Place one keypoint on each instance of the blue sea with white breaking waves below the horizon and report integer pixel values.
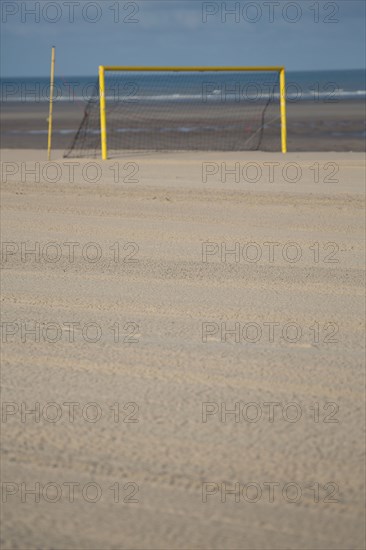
(325, 86)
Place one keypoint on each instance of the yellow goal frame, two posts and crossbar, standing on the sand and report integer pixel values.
(102, 97)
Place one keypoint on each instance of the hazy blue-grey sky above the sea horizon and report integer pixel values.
(300, 35)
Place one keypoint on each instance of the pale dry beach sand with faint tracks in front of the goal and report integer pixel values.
(169, 212)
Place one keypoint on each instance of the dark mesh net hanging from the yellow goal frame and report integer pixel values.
(182, 109)
